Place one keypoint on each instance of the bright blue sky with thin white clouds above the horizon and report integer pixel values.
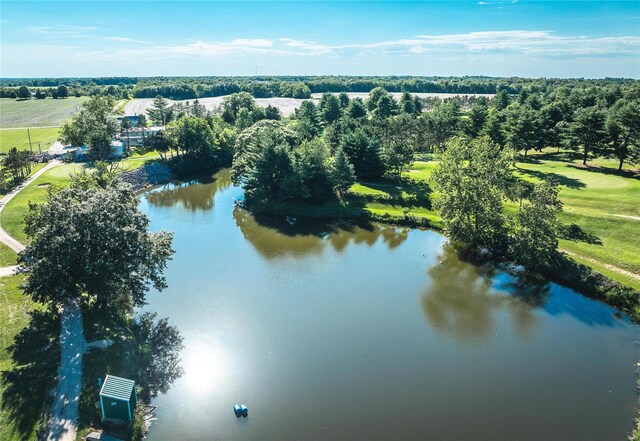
(501, 38)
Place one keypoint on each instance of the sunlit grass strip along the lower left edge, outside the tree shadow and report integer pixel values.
(14, 309)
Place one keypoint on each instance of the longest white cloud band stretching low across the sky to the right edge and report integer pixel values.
(462, 46)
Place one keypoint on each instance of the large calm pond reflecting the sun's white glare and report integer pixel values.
(330, 333)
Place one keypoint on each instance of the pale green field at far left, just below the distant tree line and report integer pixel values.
(38, 113)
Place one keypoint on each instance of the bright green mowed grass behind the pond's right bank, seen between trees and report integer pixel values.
(601, 212)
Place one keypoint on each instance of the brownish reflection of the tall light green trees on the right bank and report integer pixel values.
(462, 300)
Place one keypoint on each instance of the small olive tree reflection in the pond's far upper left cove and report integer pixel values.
(194, 196)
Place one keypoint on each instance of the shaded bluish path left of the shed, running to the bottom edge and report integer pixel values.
(67, 395)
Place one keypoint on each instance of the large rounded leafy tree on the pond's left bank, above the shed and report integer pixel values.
(93, 244)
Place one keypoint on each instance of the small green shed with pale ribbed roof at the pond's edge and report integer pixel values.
(118, 399)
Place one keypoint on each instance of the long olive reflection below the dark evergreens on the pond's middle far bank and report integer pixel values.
(275, 236)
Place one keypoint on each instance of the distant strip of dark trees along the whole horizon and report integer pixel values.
(296, 86)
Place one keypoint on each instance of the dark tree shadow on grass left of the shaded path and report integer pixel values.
(35, 355)
